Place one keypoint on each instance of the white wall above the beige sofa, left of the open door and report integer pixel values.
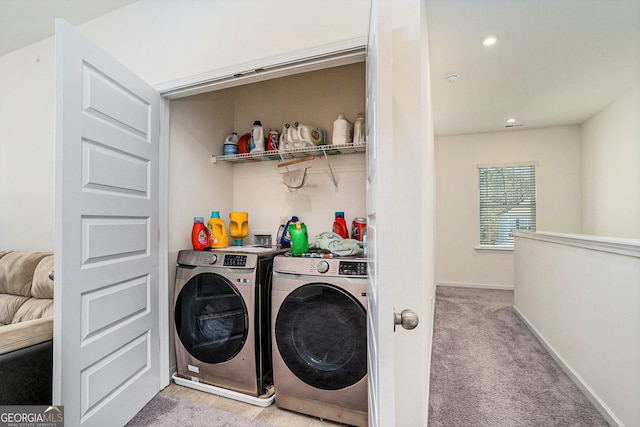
(27, 148)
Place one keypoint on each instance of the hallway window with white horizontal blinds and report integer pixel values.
(507, 203)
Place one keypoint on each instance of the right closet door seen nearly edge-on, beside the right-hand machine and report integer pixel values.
(379, 215)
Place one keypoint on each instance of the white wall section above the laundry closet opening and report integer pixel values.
(163, 40)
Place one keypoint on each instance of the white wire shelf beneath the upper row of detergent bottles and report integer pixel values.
(293, 153)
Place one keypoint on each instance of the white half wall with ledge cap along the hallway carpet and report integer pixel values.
(581, 296)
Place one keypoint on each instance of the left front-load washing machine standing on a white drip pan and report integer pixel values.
(222, 322)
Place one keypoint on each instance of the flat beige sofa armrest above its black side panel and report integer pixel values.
(25, 334)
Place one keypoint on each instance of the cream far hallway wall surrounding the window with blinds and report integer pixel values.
(557, 153)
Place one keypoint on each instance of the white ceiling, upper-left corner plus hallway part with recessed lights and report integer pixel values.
(556, 62)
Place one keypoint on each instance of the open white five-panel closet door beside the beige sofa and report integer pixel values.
(106, 339)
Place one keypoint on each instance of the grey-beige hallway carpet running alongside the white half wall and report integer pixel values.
(488, 369)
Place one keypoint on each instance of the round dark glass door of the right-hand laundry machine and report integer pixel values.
(321, 333)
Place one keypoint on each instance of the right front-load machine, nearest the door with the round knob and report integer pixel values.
(319, 337)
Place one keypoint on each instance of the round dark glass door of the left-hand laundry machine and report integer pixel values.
(211, 318)
